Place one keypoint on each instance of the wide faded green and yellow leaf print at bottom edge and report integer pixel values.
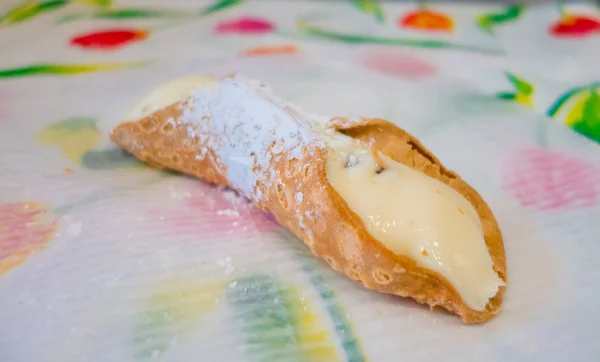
(278, 323)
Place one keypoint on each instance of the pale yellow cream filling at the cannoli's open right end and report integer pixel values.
(415, 215)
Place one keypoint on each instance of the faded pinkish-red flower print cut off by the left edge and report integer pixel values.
(25, 228)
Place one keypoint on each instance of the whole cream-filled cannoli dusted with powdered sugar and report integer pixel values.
(361, 193)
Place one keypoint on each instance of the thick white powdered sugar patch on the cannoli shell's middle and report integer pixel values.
(244, 123)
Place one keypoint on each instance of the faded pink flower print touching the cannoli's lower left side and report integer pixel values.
(209, 210)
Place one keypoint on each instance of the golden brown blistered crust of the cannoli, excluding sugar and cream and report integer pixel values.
(321, 218)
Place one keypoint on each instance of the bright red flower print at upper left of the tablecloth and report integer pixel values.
(109, 39)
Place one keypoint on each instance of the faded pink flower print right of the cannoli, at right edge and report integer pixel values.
(550, 180)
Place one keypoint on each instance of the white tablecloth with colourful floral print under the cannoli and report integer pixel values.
(105, 259)
